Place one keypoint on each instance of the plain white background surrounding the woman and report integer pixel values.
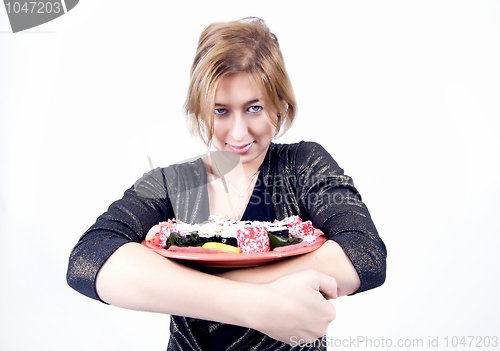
(404, 94)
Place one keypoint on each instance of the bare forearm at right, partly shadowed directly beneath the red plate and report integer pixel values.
(329, 259)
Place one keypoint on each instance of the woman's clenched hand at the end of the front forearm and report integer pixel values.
(296, 306)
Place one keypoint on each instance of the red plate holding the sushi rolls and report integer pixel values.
(238, 260)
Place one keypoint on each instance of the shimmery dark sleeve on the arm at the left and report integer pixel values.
(126, 220)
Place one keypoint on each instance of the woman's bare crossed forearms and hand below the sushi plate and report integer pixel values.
(136, 278)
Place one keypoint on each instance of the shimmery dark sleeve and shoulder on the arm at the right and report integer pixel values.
(305, 180)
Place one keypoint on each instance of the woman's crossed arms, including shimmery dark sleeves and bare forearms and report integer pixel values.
(134, 277)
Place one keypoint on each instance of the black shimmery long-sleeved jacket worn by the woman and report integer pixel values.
(295, 179)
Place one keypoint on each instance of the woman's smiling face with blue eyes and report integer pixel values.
(241, 122)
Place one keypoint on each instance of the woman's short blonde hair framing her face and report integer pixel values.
(243, 46)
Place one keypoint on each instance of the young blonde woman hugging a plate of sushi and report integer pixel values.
(240, 98)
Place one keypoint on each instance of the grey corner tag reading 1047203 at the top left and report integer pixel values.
(28, 14)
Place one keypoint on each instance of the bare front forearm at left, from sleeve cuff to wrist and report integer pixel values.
(136, 278)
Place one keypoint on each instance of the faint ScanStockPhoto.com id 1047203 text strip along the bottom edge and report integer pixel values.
(469, 341)
